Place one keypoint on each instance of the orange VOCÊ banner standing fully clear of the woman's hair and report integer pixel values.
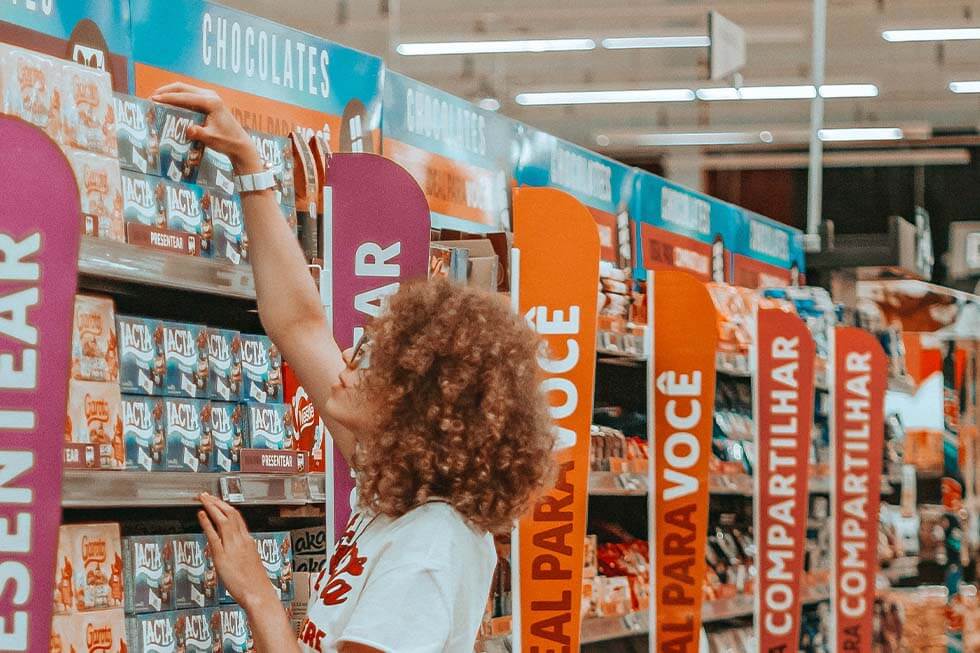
(680, 416)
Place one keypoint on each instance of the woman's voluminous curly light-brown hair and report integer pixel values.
(460, 413)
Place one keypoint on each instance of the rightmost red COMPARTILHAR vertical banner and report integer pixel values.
(857, 436)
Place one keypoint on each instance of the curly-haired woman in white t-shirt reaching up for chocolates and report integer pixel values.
(437, 409)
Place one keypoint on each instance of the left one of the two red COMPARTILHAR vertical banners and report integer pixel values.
(784, 418)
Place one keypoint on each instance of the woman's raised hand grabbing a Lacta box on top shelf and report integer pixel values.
(221, 130)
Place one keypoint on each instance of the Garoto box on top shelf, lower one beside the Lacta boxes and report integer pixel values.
(100, 187)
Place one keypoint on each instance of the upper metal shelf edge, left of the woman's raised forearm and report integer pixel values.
(131, 264)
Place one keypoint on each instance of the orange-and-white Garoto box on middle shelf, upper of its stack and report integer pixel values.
(94, 355)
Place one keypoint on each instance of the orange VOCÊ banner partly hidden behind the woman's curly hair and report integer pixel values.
(557, 245)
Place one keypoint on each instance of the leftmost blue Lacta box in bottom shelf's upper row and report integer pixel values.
(149, 574)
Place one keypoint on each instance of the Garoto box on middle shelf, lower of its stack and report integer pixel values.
(94, 417)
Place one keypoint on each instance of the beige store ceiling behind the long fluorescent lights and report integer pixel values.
(912, 78)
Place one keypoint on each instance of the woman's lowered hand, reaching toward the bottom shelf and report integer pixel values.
(236, 558)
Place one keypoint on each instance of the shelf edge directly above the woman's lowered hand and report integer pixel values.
(110, 489)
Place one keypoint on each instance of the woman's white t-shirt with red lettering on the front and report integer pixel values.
(416, 584)
